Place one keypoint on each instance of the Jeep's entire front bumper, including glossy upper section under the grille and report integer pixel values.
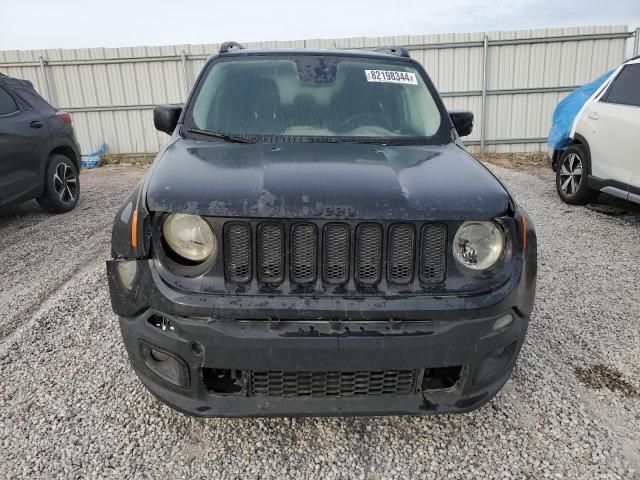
(232, 333)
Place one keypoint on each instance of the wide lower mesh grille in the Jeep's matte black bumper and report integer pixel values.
(338, 384)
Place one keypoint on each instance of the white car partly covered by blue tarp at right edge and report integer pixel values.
(604, 154)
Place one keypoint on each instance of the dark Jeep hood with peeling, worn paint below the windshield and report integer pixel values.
(324, 180)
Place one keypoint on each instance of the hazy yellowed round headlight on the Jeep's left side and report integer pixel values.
(189, 236)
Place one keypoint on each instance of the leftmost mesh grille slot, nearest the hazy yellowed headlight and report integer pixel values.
(237, 252)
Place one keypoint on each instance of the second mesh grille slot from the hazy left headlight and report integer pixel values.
(271, 253)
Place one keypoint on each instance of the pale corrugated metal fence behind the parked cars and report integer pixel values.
(511, 80)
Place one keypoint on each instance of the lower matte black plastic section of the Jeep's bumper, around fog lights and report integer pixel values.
(257, 345)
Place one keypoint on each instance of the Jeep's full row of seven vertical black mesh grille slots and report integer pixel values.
(344, 254)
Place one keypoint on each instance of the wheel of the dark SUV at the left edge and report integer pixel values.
(62, 185)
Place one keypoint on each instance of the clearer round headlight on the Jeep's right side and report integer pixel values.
(478, 245)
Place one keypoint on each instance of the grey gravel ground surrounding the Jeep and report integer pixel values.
(71, 407)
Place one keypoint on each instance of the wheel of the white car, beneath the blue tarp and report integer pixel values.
(571, 177)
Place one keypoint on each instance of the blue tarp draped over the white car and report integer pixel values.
(567, 110)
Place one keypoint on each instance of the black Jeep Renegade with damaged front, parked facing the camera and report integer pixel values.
(314, 240)
